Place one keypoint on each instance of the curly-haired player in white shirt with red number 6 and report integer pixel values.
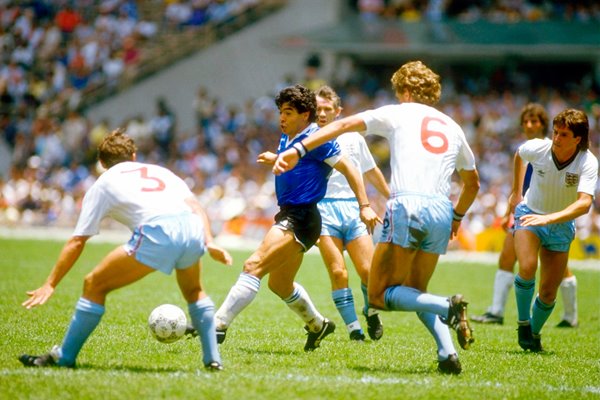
(427, 147)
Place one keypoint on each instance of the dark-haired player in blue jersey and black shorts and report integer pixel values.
(298, 223)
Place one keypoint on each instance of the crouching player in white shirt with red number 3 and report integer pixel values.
(170, 232)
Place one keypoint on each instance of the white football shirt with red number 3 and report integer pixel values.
(132, 193)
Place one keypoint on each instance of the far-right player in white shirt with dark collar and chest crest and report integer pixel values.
(562, 188)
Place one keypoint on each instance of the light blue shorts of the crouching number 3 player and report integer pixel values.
(169, 242)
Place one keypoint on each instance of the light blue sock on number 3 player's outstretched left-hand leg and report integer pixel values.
(85, 319)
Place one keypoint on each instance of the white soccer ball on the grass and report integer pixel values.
(167, 323)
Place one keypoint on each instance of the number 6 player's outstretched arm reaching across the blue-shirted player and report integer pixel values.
(288, 159)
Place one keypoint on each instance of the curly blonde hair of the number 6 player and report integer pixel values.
(419, 81)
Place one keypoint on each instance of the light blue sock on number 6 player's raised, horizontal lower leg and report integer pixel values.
(404, 298)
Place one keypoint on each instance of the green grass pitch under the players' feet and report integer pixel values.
(263, 354)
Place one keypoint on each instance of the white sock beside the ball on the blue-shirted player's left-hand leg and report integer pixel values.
(239, 297)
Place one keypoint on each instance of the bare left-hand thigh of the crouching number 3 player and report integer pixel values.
(116, 270)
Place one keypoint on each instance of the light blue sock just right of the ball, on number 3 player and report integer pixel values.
(202, 314)
